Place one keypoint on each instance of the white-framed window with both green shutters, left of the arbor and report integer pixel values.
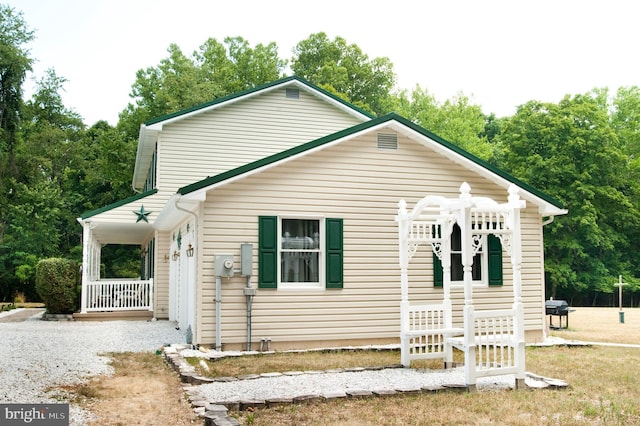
(299, 252)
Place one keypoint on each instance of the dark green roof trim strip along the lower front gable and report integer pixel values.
(352, 130)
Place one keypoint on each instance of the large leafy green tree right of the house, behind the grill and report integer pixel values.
(571, 151)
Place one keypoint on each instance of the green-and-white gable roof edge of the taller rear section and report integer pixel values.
(150, 130)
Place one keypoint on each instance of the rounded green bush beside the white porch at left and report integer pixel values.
(56, 284)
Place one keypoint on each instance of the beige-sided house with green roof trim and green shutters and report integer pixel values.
(267, 217)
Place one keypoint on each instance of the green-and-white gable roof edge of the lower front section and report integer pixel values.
(549, 206)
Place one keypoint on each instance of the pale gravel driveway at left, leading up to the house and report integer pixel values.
(36, 355)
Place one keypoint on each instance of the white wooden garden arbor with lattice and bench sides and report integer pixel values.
(492, 340)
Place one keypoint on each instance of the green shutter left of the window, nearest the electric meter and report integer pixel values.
(267, 252)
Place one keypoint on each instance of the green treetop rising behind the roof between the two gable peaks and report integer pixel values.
(343, 69)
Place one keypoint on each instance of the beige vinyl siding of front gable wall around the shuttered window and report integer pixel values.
(361, 184)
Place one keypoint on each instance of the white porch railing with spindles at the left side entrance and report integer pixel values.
(119, 295)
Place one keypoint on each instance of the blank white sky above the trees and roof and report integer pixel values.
(499, 53)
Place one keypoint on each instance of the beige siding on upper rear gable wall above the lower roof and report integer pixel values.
(223, 139)
